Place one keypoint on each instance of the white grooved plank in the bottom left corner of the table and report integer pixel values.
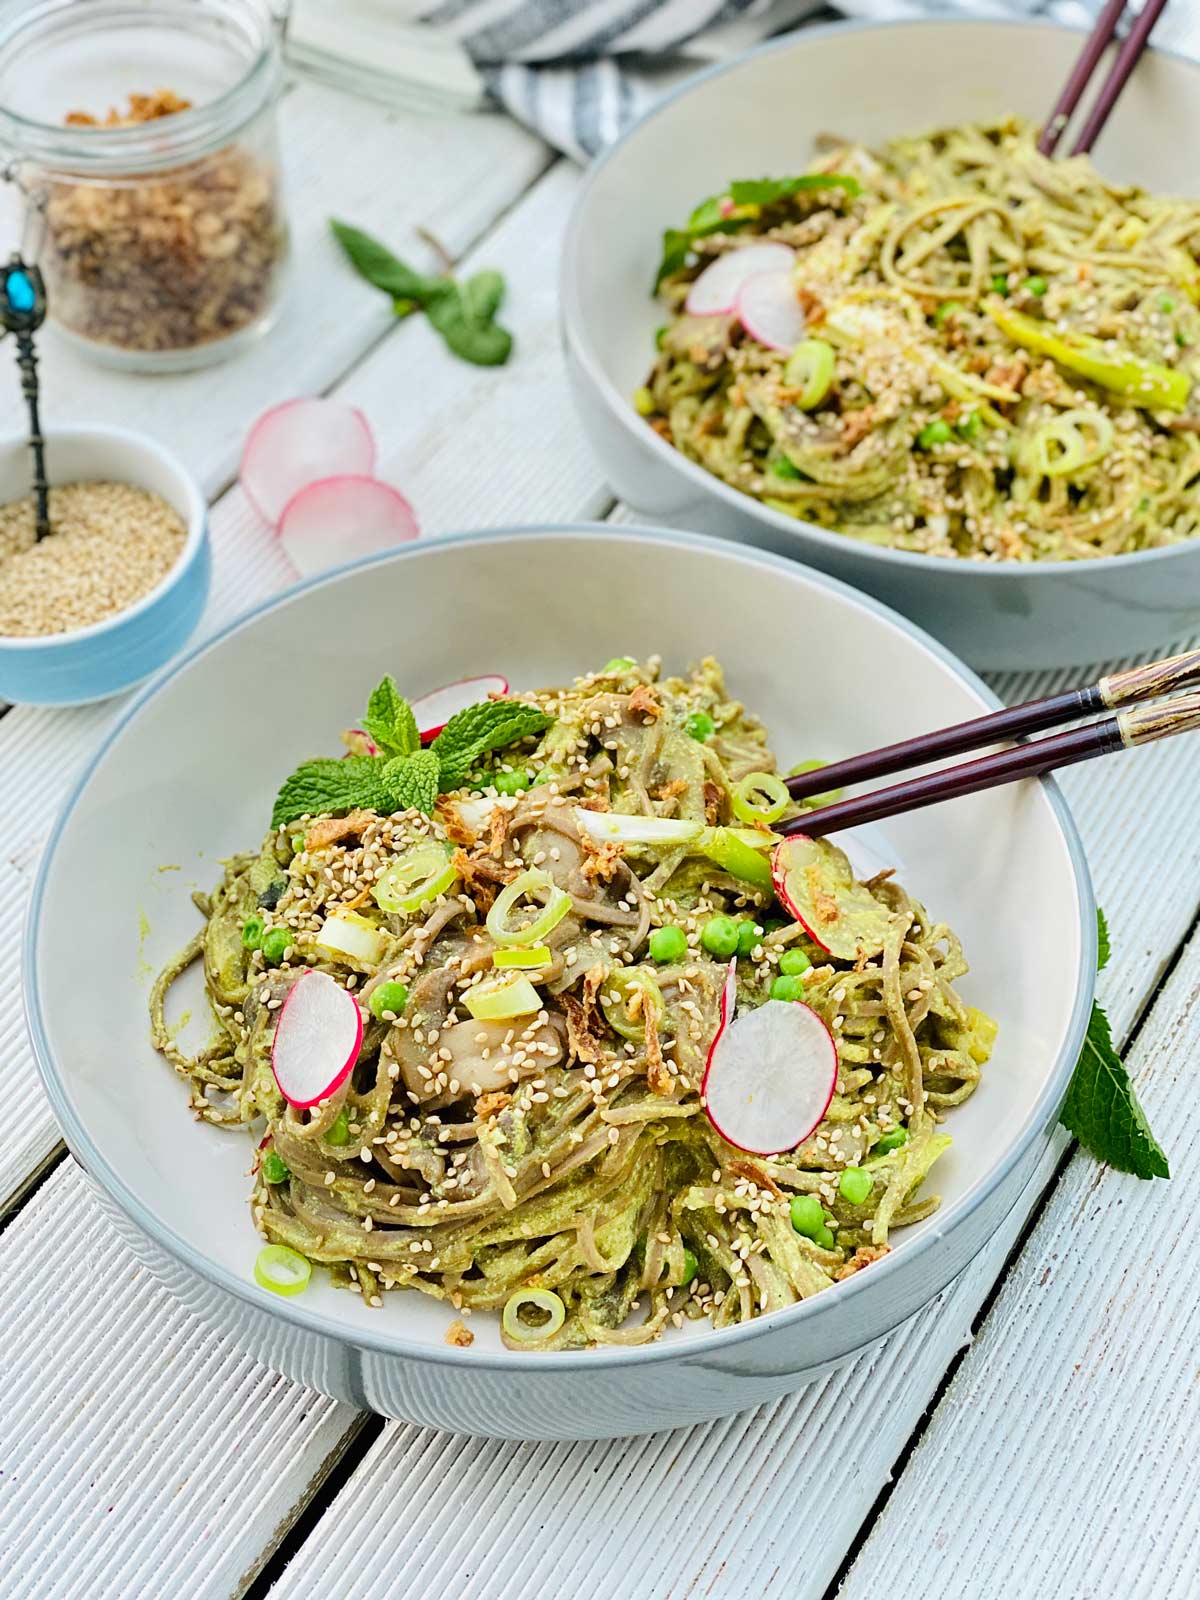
(143, 1455)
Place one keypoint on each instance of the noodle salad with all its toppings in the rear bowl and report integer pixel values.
(950, 345)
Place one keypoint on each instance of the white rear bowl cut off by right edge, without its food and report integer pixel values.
(759, 114)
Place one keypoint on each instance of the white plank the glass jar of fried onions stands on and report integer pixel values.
(382, 169)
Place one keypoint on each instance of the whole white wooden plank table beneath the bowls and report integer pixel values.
(1036, 1433)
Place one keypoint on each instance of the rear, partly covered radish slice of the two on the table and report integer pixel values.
(300, 442)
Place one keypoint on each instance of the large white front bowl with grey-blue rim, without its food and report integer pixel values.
(198, 767)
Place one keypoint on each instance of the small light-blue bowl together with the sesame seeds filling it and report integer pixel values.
(118, 586)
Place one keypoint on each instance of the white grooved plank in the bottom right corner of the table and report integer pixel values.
(1063, 1458)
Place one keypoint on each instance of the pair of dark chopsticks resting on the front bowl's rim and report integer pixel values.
(1121, 730)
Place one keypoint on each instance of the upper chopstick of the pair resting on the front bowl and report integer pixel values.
(1121, 689)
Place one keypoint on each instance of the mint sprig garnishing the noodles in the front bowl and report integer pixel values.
(404, 777)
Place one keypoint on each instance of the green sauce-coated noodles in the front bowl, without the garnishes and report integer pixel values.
(569, 1151)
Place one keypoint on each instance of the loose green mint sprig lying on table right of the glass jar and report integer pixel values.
(465, 314)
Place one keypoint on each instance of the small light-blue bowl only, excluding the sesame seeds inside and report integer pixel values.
(94, 663)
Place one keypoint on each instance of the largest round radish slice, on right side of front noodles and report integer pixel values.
(770, 1078)
